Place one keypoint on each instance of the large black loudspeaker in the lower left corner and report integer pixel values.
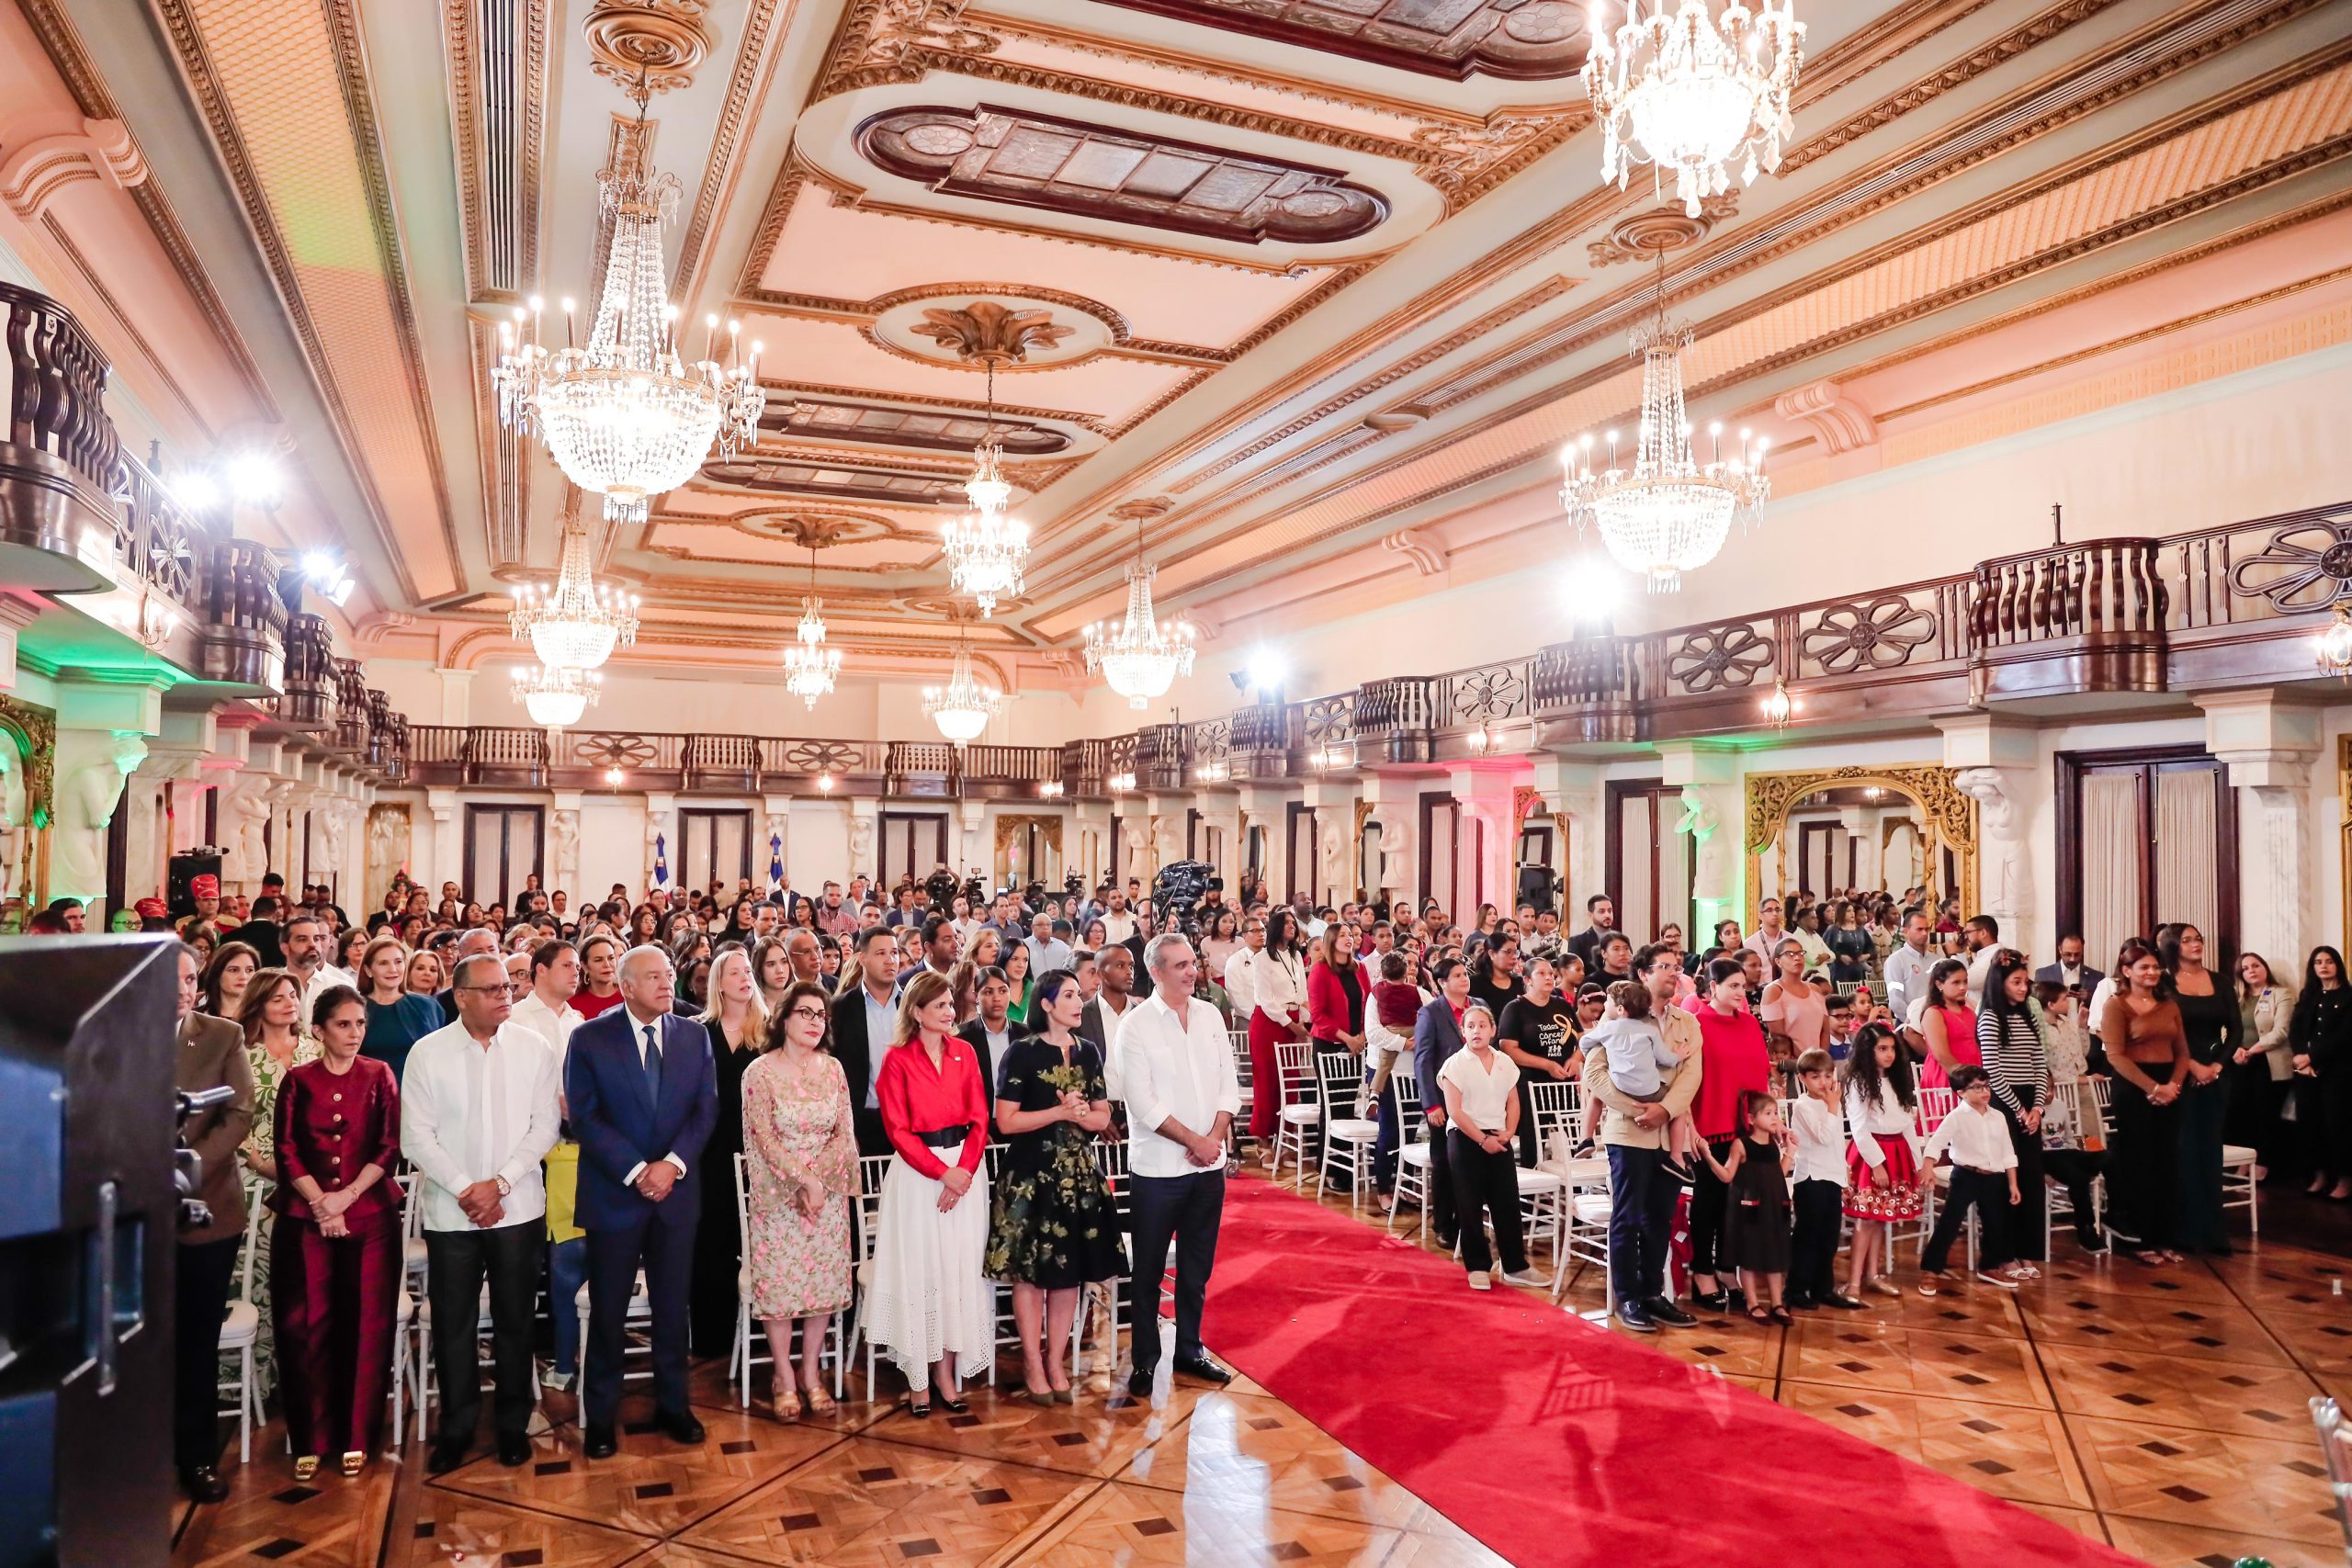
(88, 1221)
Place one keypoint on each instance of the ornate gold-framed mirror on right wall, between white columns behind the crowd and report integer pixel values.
(1916, 812)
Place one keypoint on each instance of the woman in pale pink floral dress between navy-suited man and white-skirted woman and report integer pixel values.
(803, 1153)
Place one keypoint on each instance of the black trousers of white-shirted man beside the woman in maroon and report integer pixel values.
(457, 1261)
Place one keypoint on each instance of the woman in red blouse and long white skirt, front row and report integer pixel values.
(930, 1306)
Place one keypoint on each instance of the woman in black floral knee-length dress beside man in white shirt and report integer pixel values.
(1055, 1226)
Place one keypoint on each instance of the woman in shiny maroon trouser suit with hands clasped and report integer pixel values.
(338, 1247)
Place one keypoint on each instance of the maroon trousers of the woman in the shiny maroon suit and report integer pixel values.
(338, 1304)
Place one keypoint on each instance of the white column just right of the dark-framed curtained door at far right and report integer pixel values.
(2269, 746)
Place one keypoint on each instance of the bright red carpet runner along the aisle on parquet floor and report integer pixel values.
(1563, 1445)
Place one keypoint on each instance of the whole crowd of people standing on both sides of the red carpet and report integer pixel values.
(568, 1090)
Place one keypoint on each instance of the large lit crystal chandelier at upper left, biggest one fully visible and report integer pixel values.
(627, 417)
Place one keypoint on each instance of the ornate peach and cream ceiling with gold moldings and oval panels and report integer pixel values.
(1311, 276)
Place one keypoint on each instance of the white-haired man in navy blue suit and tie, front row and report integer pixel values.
(643, 1097)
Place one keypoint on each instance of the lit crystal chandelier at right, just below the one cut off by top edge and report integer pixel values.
(1669, 514)
